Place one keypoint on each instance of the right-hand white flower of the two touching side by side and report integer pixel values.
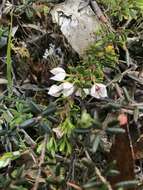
(68, 89)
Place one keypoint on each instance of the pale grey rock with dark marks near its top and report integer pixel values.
(78, 25)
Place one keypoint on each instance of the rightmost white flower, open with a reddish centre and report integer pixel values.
(98, 91)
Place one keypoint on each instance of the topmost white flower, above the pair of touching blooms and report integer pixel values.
(59, 74)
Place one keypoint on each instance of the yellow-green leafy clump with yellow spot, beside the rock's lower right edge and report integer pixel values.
(98, 56)
